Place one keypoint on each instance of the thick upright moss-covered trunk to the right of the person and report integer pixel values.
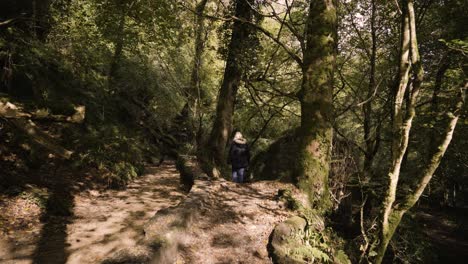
(316, 131)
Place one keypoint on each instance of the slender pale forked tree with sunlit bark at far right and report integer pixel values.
(410, 62)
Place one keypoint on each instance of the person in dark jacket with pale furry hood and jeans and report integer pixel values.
(239, 157)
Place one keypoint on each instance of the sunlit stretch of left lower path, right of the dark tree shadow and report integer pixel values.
(116, 222)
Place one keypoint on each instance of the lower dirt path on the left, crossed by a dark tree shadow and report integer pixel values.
(101, 223)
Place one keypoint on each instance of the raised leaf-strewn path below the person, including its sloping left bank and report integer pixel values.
(218, 222)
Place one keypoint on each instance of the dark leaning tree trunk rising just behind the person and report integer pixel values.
(222, 126)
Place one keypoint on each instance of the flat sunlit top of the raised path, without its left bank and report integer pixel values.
(236, 222)
